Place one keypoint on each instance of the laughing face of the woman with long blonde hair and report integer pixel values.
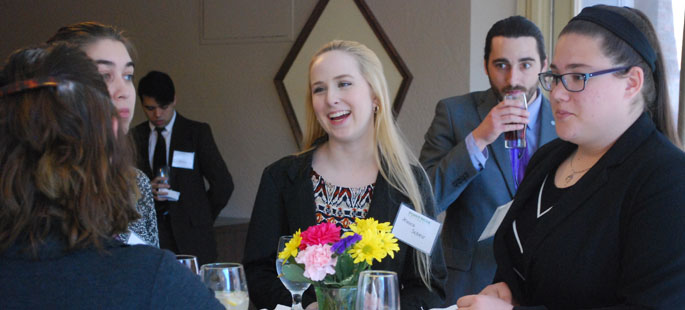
(342, 99)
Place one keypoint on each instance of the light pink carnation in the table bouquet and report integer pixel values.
(317, 261)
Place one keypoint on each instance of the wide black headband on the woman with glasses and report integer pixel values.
(622, 28)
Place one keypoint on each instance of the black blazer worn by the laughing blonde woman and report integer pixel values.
(285, 203)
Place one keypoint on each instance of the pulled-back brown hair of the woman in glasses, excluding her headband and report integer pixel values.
(655, 96)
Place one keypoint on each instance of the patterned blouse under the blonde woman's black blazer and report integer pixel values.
(340, 205)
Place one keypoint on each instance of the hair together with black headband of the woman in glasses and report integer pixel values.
(593, 22)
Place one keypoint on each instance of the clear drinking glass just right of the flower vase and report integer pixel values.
(378, 290)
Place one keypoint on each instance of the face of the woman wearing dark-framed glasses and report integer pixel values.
(604, 109)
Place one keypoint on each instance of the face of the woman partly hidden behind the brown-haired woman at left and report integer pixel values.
(116, 67)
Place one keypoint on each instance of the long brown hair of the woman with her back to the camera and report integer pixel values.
(62, 168)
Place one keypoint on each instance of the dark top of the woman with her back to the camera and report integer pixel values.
(123, 277)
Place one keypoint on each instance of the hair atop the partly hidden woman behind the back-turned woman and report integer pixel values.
(85, 33)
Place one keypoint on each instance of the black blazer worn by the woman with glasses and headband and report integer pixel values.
(614, 240)
